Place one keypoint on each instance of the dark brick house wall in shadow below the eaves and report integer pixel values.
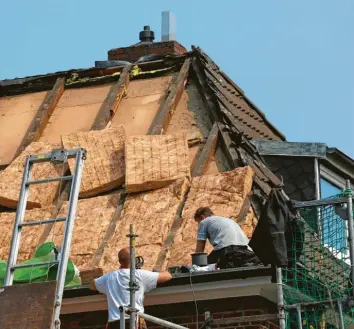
(184, 314)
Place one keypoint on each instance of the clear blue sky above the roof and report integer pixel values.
(294, 59)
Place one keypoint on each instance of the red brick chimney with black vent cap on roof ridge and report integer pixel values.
(146, 46)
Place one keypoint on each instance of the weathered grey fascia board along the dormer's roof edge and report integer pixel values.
(291, 148)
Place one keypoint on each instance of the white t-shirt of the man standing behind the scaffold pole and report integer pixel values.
(115, 286)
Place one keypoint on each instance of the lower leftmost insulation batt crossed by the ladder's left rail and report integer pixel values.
(30, 234)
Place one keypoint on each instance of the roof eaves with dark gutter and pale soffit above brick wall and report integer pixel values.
(206, 286)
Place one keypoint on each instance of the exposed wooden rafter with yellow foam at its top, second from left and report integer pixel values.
(110, 105)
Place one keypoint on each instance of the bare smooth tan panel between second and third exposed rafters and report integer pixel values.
(137, 110)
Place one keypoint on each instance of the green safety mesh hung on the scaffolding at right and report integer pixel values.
(318, 273)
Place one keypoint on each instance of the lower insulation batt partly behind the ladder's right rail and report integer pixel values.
(93, 217)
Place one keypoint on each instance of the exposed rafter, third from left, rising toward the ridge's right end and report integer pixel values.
(165, 112)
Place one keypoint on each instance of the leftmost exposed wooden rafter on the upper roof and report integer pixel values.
(42, 116)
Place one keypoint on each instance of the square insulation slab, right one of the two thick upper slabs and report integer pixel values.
(155, 161)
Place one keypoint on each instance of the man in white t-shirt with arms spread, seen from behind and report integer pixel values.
(115, 286)
